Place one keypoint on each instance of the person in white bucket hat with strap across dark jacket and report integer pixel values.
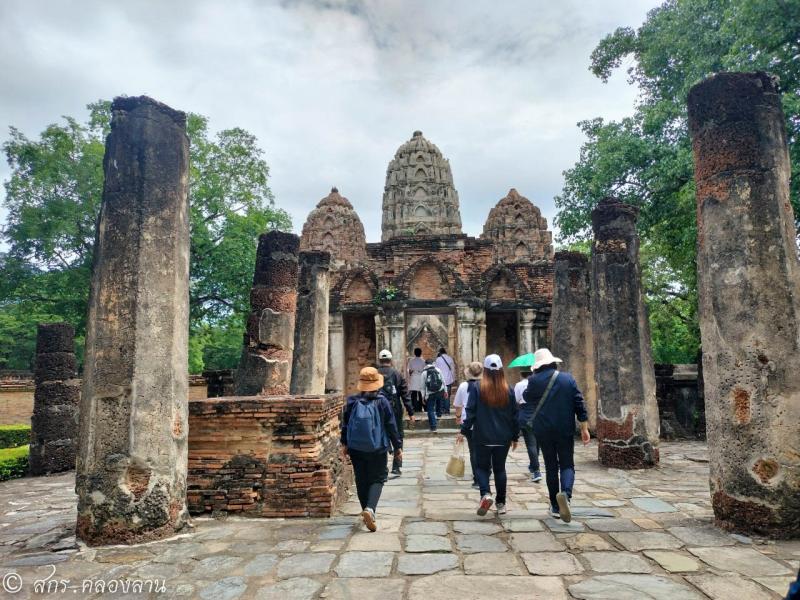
(552, 401)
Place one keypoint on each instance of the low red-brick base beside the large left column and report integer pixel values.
(275, 456)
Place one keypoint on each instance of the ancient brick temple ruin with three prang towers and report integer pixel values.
(426, 284)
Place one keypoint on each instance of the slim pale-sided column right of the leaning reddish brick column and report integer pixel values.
(310, 365)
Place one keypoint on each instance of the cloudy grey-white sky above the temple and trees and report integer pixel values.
(331, 88)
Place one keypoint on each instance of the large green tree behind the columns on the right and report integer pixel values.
(646, 159)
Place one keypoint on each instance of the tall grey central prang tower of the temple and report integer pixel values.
(419, 197)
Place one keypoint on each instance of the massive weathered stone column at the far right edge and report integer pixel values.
(749, 291)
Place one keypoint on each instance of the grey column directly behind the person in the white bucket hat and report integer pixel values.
(571, 322)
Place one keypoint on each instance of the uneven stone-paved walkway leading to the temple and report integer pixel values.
(637, 535)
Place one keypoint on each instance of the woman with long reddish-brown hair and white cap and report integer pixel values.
(492, 421)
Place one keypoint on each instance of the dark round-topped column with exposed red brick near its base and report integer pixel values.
(627, 411)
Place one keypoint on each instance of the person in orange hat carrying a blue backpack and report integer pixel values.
(368, 427)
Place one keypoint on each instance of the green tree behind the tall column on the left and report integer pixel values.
(53, 198)
